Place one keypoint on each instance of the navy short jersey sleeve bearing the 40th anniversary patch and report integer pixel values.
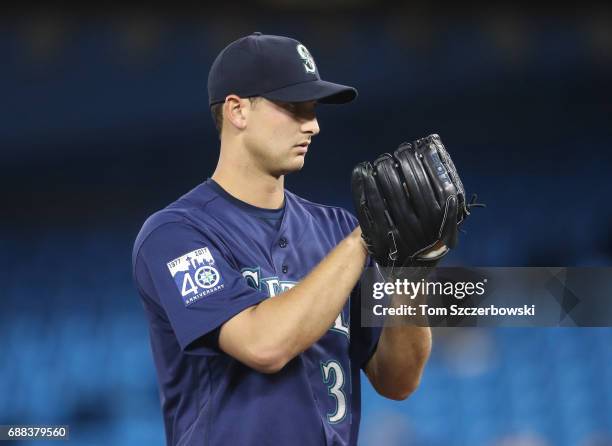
(192, 277)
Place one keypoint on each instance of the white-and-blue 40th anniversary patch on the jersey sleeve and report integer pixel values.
(195, 275)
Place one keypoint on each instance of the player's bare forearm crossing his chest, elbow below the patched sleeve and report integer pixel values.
(283, 326)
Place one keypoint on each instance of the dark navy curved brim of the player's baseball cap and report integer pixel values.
(318, 90)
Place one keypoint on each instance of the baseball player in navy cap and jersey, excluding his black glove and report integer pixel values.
(251, 292)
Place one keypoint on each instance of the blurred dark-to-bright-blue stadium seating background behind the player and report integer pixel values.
(104, 120)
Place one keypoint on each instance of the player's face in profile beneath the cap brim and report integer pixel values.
(278, 134)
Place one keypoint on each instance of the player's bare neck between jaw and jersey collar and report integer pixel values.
(251, 186)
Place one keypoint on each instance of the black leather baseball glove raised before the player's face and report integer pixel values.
(410, 204)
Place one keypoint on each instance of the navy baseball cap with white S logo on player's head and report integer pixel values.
(275, 67)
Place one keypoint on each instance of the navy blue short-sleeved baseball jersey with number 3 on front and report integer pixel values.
(204, 259)
